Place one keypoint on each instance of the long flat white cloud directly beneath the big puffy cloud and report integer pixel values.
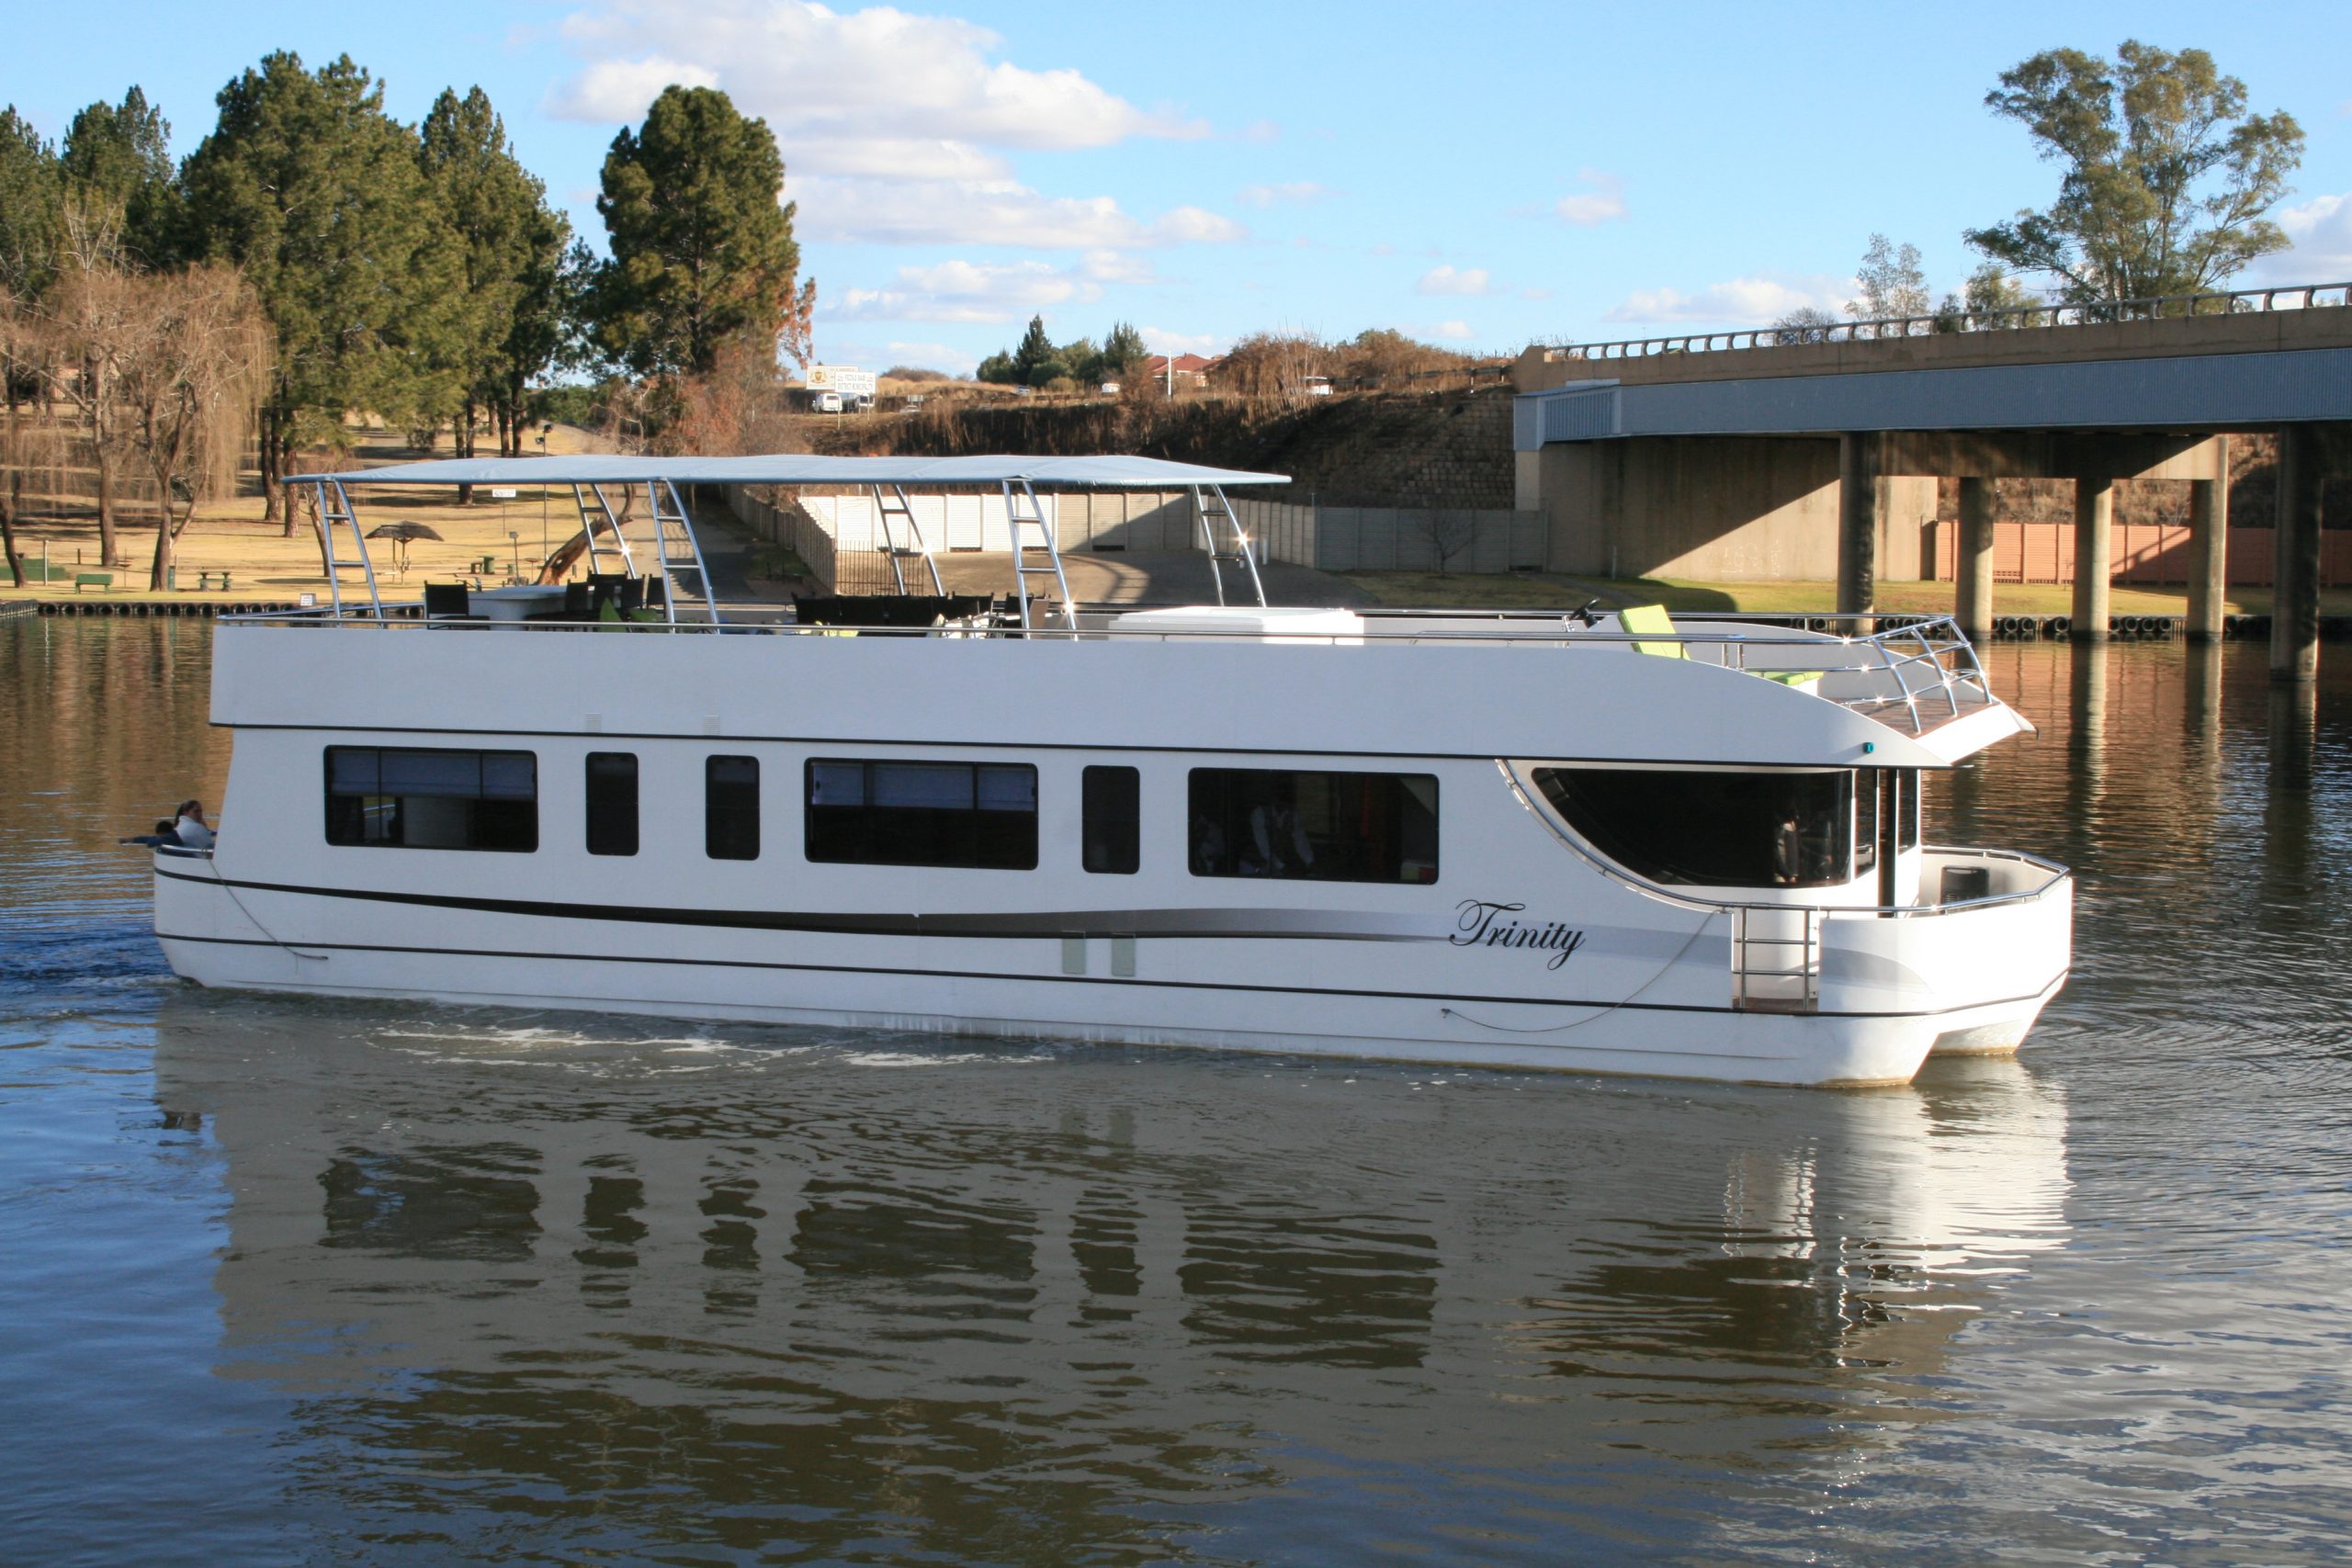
(991, 213)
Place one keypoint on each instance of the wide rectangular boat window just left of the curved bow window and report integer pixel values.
(1314, 826)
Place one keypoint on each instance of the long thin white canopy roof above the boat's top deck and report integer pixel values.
(803, 469)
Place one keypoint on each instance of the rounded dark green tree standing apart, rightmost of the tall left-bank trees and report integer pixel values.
(702, 250)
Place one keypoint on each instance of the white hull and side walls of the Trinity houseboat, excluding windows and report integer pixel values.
(1506, 949)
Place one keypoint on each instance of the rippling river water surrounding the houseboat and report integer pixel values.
(295, 1282)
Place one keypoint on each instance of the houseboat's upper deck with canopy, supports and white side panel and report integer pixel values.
(1876, 692)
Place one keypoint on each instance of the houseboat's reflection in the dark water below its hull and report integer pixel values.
(768, 1289)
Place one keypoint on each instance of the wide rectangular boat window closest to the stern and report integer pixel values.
(432, 798)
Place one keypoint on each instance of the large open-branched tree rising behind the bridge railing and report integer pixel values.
(2165, 175)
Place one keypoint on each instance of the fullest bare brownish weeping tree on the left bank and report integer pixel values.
(192, 389)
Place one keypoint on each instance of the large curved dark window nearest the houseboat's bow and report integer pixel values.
(1713, 829)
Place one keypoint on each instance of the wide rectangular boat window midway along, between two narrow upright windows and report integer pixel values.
(975, 815)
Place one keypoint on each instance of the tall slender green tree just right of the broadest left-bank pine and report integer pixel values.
(509, 250)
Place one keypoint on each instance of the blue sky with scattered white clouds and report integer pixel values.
(1481, 175)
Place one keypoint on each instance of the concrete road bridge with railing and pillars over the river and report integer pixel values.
(1800, 453)
